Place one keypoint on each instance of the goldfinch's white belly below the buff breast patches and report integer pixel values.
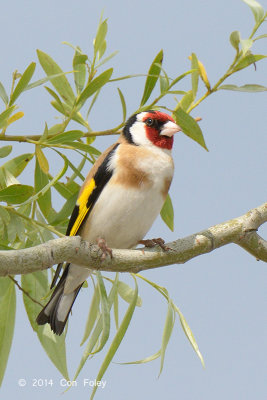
(122, 216)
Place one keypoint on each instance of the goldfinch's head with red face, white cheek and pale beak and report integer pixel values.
(151, 128)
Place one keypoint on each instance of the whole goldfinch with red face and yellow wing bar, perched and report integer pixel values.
(118, 202)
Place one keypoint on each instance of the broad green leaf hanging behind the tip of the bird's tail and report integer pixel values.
(37, 286)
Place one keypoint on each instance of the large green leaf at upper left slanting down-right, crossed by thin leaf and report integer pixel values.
(60, 83)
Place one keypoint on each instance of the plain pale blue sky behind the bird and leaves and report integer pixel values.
(221, 294)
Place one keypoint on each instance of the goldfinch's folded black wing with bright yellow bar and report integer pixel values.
(93, 185)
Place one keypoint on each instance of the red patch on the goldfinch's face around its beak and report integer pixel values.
(154, 121)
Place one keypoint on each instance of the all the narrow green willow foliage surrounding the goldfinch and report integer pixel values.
(27, 212)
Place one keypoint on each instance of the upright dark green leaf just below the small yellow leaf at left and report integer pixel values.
(40, 181)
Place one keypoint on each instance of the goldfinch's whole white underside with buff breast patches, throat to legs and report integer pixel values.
(131, 200)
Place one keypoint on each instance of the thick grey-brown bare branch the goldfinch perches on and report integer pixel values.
(241, 231)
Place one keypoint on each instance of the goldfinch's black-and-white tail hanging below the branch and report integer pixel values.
(57, 310)
